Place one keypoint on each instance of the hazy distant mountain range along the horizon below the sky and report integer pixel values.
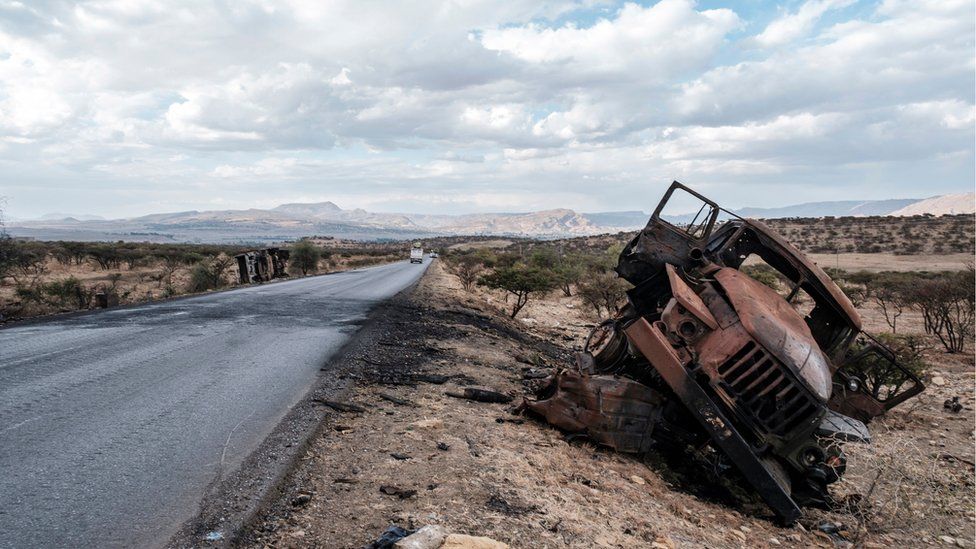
(291, 221)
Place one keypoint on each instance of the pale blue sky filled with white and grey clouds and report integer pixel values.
(123, 108)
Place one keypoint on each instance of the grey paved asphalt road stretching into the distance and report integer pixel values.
(113, 424)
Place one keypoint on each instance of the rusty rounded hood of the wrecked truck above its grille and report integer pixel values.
(779, 328)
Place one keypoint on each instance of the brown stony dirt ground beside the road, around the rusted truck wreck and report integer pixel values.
(412, 455)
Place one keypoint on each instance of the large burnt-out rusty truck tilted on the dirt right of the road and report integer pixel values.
(705, 357)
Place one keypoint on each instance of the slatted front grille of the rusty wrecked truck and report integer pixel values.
(763, 387)
